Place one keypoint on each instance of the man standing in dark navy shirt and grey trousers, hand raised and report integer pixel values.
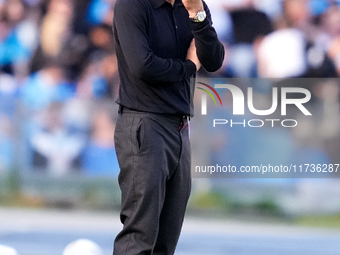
(160, 44)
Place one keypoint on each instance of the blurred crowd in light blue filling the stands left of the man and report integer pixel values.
(58, 82)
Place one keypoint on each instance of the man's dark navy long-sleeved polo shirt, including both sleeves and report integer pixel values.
(152, 38)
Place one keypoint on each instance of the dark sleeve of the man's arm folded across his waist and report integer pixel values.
(130, 27)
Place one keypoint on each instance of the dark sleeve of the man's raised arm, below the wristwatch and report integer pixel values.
(210, 50)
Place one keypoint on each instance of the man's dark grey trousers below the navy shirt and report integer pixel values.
(153, 152)
